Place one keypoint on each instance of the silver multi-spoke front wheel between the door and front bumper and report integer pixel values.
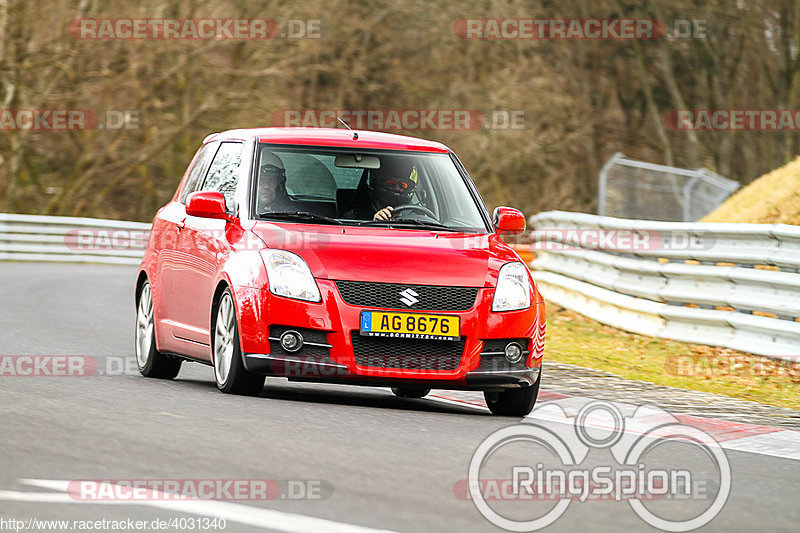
(229, 371)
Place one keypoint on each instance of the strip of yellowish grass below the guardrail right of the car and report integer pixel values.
(575, 339)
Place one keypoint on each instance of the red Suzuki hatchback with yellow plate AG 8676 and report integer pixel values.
(339, 256)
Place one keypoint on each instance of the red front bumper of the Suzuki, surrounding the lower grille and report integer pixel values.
(335, 320)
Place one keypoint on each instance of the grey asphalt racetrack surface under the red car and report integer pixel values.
(376, 461)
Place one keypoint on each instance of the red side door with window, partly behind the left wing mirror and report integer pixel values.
(203, 243)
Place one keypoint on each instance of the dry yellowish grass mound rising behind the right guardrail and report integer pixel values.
(772, 198)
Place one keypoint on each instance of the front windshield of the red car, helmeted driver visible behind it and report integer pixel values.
(416, 190)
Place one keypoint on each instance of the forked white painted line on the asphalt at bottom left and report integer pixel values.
(234, 512)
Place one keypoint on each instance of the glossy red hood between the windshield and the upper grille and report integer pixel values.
(392, 255)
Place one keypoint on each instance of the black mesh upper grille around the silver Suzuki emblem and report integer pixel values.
(387, 296)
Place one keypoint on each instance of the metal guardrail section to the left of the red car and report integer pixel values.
(69, 239)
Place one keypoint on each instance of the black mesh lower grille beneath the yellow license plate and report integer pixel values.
(388, 352)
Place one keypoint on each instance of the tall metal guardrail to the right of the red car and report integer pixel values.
(732, 285)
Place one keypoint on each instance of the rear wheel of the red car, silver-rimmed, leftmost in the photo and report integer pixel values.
(151, 362)
